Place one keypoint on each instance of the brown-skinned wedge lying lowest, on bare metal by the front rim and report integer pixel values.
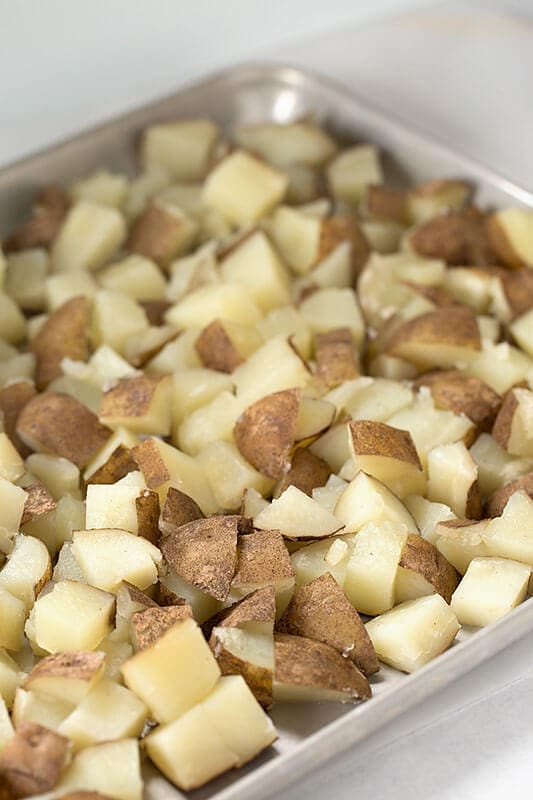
(311, 671)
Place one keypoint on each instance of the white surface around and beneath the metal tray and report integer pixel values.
(462, 71)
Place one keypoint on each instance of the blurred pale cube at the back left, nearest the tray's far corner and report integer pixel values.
(182, 148)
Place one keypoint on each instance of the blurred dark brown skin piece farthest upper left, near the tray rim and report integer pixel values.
(40, 230)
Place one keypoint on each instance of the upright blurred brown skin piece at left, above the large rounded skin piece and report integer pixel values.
(63, 335)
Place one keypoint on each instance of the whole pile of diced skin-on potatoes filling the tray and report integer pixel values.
(267, 422)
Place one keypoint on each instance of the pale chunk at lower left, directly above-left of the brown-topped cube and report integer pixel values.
(71, 615)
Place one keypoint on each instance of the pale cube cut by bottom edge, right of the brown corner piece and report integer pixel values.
(112, 769)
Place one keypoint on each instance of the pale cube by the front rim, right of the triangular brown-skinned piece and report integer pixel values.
(413, 633)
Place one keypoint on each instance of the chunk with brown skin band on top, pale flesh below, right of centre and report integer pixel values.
(388, 454)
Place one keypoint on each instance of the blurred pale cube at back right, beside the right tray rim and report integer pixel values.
(352, 171)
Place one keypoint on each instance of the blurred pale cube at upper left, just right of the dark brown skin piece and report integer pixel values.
(88, 237)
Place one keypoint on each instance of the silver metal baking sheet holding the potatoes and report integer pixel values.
(309, 734)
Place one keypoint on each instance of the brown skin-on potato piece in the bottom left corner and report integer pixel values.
(32, 760)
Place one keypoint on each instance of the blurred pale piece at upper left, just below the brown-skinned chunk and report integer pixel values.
(136, 276)
